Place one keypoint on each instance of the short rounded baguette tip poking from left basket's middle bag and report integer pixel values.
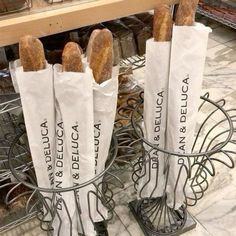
(72, 58)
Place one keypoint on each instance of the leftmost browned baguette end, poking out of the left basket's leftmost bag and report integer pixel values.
(31, 53)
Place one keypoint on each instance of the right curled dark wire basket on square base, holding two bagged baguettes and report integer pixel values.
(214, 145)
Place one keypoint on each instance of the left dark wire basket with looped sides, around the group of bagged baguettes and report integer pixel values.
(48, 207)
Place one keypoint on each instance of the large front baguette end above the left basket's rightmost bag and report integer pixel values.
(101, 57)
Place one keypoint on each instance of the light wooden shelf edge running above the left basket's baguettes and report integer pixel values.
(70, 16)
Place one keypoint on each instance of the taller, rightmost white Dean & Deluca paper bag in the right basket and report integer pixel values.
(188, 52)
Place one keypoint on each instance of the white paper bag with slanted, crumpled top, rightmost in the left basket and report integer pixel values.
(105, 102)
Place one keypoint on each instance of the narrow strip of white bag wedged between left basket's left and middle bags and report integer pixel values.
(62, 179)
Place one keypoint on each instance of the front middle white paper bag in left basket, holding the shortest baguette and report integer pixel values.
(74, 93)
